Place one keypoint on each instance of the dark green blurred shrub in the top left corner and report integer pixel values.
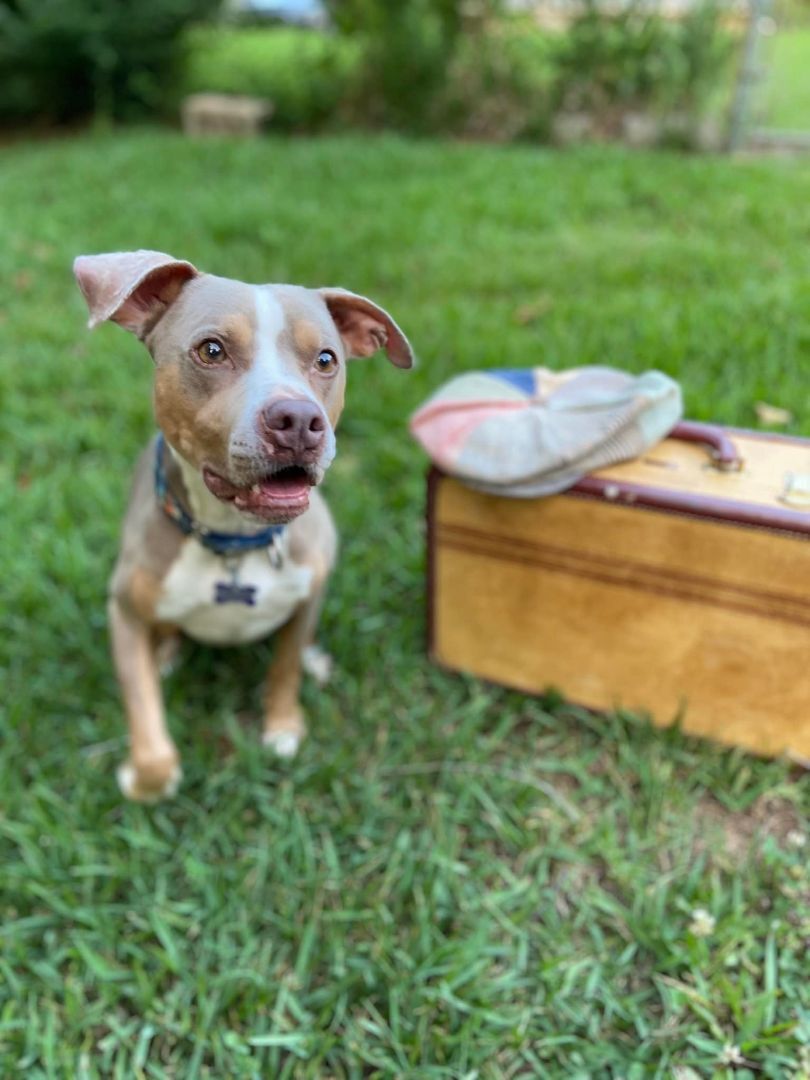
(65, 60)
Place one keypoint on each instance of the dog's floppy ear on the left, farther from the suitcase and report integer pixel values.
(133, 289)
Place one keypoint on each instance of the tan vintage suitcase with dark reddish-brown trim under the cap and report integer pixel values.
(677, 585)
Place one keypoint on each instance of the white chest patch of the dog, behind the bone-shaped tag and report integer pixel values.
(232, 603)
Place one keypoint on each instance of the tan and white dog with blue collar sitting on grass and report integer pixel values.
(226, 537)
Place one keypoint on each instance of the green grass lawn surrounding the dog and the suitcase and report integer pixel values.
(451, 881)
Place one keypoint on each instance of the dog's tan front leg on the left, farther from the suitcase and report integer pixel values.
(153, 771)
